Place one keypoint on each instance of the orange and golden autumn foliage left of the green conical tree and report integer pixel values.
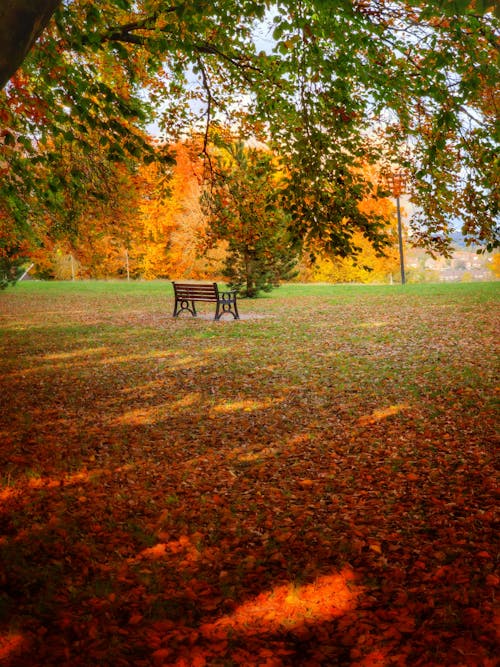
(148, 225)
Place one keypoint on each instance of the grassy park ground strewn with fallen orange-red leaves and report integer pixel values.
(312, 485)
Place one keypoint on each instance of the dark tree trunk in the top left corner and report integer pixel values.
(21, 23)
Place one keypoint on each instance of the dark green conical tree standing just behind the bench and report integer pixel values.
(242, 204)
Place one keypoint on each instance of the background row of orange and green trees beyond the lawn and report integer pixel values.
(222, 221)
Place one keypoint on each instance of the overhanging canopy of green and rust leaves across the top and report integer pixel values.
(330, 86)
